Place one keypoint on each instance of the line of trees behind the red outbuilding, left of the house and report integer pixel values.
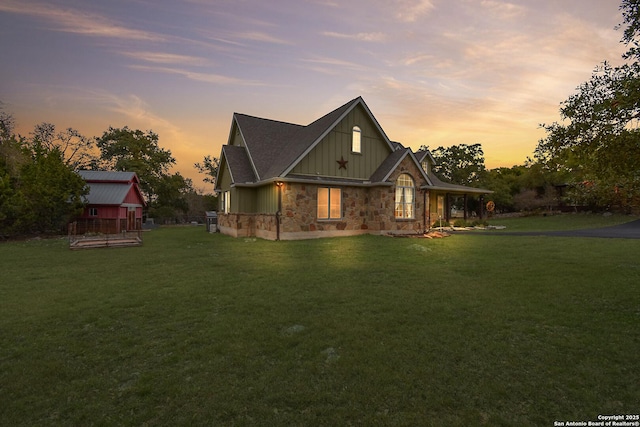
(40, 191)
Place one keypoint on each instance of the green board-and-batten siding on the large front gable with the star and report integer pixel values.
(322, 160)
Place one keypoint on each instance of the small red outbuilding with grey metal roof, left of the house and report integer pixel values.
(114, 203)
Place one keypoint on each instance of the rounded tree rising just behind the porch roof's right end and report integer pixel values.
(459, 164)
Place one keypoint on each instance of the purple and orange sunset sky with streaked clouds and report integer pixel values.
(433, 72)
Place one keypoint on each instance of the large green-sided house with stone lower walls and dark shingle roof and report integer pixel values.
(340, 175)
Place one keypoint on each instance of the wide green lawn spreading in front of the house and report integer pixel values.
(200, 329)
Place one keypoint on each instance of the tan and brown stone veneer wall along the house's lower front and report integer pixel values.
(364, 210)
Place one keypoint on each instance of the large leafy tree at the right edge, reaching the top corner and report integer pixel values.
(597, 144)
